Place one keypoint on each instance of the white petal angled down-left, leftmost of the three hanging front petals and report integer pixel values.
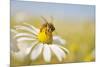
(36, 51)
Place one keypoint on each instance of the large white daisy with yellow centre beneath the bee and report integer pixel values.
(38, 44)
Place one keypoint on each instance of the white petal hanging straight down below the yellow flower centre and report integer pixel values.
(47, 53)
